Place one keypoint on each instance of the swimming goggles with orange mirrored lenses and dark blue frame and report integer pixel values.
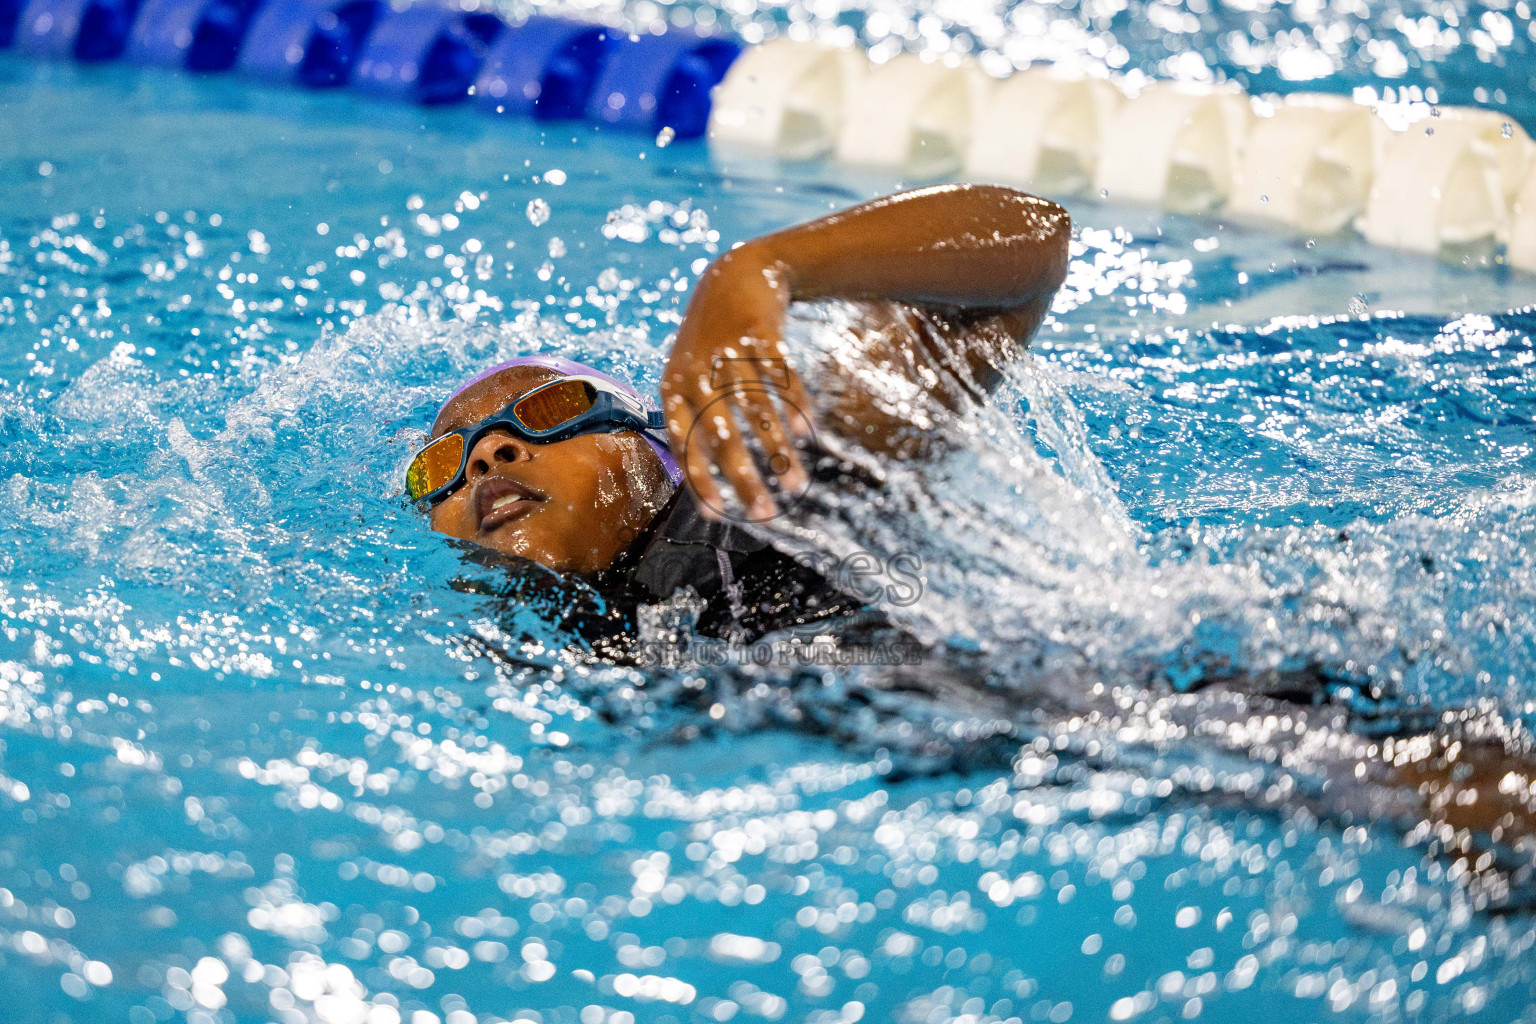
(551, 412)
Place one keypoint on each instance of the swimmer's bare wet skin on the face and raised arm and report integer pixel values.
(984, 259)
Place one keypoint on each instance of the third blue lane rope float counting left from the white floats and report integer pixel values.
(426, 53)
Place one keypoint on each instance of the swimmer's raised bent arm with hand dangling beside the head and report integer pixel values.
(985, 259)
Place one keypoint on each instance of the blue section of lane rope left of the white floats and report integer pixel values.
(543, 68)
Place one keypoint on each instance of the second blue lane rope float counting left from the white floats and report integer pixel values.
(545, 68)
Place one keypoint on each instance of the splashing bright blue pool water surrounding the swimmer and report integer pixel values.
(257, 765)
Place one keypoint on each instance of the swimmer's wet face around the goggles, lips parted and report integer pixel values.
(574, 506)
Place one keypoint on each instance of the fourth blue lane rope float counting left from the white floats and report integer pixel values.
(308, 42)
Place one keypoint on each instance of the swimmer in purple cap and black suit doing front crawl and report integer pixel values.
(554, 463)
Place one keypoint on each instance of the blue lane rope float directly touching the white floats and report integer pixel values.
(655, 82)
